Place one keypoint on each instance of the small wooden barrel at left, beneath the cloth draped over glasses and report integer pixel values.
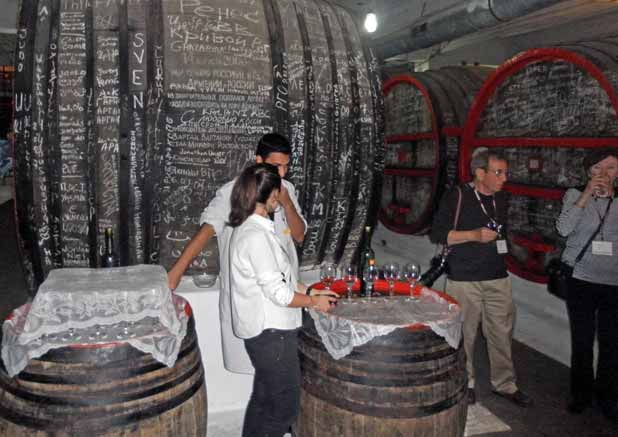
(108, 390)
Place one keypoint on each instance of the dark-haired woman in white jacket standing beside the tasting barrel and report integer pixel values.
(265, 303)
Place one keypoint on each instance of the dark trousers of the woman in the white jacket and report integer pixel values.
(275, 400)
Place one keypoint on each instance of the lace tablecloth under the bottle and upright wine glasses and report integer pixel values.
(357, 321)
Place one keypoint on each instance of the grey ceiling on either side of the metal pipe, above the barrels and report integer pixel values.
(567, 21)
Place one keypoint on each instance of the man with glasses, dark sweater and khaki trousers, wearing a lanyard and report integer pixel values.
(477, 276)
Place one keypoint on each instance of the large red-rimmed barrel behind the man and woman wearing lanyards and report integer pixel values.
(545, 109)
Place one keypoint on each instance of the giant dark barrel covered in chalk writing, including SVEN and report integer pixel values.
(130, 114)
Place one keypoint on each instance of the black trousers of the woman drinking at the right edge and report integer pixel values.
(593, 308)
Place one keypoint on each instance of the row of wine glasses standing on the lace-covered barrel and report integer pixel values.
(410, 273)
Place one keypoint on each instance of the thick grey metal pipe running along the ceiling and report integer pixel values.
(463, 18)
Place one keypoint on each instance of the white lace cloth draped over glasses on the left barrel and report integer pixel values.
(97, 306)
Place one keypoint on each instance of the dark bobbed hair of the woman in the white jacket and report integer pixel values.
(253, 186)
